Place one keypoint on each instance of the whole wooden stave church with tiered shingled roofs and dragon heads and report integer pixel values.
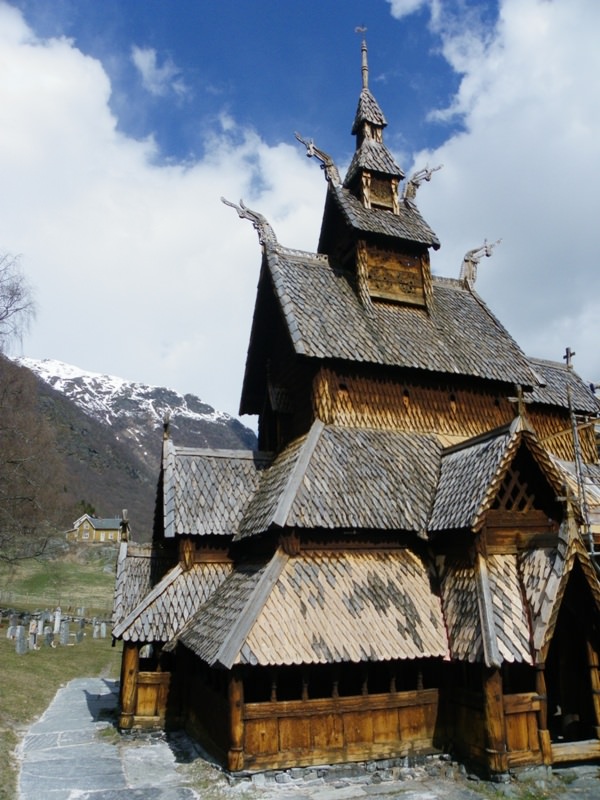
(407, 564)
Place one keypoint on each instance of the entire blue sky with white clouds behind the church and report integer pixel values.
(123, 122)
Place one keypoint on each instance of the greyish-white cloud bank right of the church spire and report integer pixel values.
(526, 168)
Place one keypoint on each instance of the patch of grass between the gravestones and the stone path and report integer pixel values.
(29, 682)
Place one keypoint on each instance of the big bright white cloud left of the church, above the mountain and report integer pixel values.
(139, 269)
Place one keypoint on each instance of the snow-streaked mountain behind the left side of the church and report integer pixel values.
(109, 433)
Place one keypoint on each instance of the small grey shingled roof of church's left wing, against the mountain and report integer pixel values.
(206, 491)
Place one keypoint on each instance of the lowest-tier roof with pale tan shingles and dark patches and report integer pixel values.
(321, 607)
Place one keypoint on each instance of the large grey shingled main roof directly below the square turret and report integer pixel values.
(325, 319)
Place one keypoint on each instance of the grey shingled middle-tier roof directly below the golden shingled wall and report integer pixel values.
(347, 478)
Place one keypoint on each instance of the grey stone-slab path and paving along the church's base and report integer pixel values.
(73, 752)
